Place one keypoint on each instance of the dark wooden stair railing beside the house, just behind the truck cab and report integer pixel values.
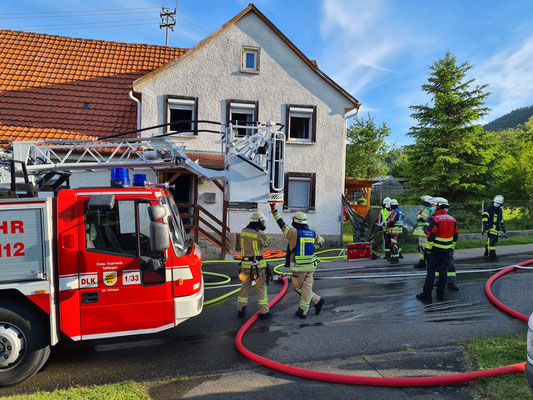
(217, 232)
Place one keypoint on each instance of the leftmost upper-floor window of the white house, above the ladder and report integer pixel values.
(179, 112)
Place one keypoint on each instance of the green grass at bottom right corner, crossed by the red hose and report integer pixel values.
(498, 352)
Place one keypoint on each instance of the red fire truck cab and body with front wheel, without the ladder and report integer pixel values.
(91, 263)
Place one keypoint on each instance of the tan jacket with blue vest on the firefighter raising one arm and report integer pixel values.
(302, 245)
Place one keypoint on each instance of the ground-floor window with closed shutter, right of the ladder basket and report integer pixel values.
(300, 191)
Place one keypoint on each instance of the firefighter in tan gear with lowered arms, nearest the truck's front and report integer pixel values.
(253, 267)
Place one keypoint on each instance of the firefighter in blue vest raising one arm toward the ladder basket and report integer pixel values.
(303, 242)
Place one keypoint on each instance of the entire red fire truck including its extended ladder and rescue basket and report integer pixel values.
(104, 262)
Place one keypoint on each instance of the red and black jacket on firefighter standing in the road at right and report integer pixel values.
(443, 232)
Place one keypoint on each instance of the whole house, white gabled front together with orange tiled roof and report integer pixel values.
(247, 70)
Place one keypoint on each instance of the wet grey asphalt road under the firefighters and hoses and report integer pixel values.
(370, 326)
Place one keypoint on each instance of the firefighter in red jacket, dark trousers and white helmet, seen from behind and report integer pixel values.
(442, 236)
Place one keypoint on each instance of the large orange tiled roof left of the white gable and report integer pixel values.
(54, 87)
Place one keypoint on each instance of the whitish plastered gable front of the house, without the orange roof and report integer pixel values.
(213, 82)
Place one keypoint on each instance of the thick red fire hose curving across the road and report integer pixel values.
(391, 382)
